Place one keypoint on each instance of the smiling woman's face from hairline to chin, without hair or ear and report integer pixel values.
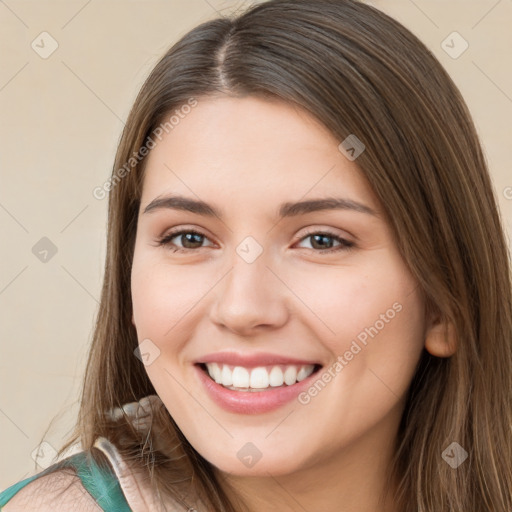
(274, 284)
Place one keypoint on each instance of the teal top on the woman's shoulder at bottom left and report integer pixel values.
(101, 483)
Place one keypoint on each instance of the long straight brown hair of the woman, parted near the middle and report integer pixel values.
(359, 72)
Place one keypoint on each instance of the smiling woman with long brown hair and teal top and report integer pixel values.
(307, 295)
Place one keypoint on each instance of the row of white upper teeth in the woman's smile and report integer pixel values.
(262, 377)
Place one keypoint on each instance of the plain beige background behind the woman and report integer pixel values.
(60, 120)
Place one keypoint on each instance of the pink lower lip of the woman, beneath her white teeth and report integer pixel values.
(252, 402)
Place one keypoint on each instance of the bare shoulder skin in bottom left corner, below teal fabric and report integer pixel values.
(58, 491)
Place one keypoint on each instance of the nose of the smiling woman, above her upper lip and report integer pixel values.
(250, 298)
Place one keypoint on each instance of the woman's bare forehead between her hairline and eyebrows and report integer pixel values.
(252, 149)
